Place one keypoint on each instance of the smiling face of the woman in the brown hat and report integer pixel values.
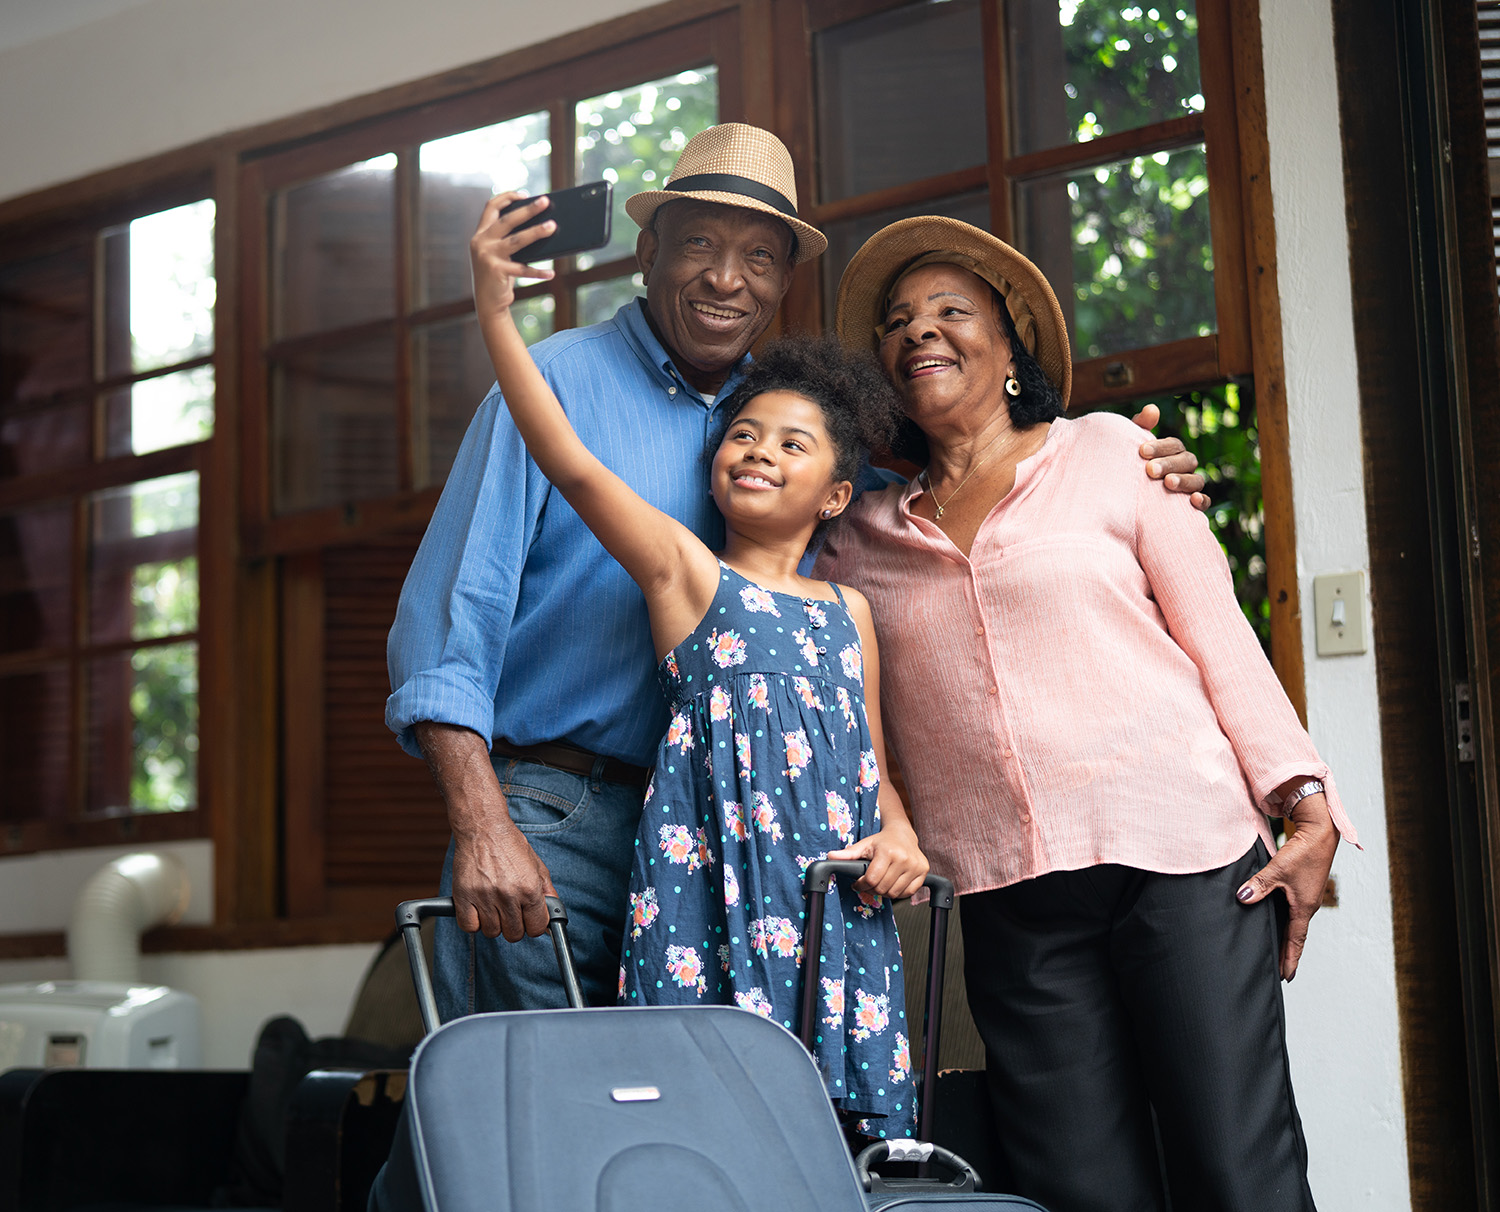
(943, 344)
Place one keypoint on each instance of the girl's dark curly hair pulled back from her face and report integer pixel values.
(859, 404)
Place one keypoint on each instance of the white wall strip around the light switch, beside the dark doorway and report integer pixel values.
(1342, 1009)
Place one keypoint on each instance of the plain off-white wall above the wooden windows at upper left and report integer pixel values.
(170, 73)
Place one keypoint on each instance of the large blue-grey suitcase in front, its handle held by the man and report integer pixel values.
(676, 1109)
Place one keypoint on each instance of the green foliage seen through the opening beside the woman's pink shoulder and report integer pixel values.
(1219, 425)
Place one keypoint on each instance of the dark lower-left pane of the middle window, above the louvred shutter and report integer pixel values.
(334, 425)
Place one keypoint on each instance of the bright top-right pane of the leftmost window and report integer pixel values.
(169, 293)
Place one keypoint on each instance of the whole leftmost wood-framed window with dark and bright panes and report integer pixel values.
(109, 356)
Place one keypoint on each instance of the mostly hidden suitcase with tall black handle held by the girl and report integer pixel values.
(923, 1190)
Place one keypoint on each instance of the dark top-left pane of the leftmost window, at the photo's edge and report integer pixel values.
(46, 310)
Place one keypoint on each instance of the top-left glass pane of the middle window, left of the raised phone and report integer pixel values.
(334, 250)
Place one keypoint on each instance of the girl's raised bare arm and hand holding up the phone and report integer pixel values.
(667, 560)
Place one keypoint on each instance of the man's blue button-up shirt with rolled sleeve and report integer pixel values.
(514, 620)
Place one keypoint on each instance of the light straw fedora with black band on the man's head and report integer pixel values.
(734, 164)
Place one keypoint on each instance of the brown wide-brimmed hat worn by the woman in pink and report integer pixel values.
(931, 239)
